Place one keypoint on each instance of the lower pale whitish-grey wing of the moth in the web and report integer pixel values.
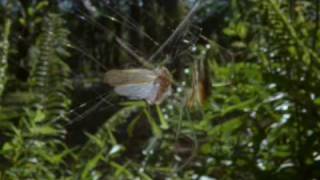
(146, 91)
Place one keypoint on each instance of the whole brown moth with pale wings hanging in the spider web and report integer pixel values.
(150, 85)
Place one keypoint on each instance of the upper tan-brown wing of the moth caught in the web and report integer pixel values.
(129, 76)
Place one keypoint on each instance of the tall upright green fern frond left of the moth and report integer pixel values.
(49, 77)
